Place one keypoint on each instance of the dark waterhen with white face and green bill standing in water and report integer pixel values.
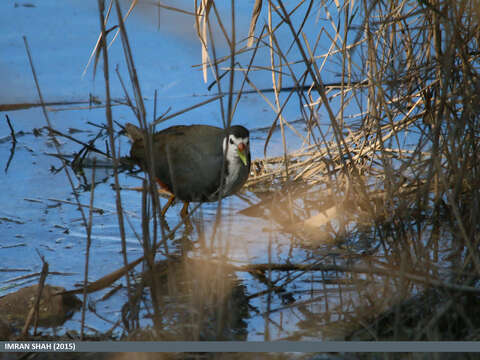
(188, 160)
